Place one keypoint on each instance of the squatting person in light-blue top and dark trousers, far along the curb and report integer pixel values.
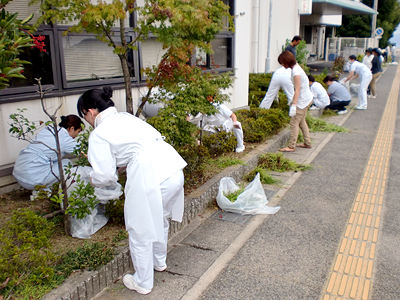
(338, 94)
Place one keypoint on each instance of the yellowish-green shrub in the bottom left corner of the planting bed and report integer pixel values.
(25, 256)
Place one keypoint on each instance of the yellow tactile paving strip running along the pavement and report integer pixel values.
(352, 272)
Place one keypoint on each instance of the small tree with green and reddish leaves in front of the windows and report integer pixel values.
(179, 25)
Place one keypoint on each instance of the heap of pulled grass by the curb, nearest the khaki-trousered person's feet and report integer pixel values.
(278, 162)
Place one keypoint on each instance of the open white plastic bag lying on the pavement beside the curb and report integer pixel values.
(250, 202)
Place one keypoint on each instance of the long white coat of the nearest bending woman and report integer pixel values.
(121, 139)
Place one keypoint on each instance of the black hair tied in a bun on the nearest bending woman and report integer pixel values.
(96, 99)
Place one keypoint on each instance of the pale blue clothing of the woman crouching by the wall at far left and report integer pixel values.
(35, 163)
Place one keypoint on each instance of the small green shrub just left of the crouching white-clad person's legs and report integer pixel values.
(219, 143)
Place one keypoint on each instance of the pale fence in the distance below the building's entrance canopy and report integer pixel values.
(347, 46)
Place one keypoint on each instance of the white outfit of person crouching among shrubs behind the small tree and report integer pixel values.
(223, 118)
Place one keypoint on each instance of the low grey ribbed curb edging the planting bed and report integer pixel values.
(88, 284)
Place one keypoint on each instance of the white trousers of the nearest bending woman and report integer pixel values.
(146, 255)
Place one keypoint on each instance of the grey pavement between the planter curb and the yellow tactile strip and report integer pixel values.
(219, 255)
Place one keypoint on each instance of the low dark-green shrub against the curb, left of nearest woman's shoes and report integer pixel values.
(87, 257)
